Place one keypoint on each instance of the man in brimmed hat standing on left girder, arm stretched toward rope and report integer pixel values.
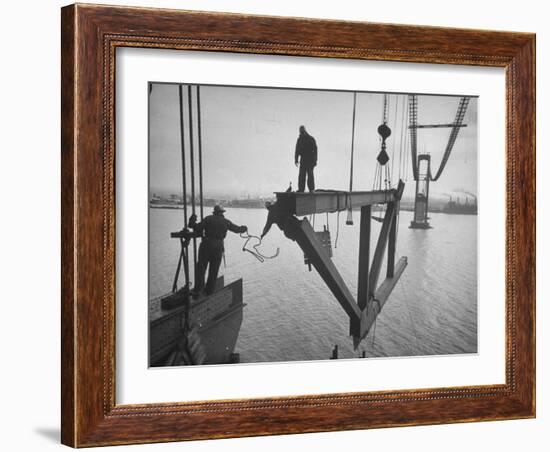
(213, 230)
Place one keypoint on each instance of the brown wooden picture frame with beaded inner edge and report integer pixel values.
(90, 37)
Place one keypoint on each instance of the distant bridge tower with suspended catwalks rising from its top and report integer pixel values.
(421, 163)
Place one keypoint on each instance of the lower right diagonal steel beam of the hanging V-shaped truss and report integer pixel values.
(376, 303)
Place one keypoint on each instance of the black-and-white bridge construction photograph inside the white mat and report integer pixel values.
(291, 224)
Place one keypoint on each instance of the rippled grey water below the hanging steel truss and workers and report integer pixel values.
(291, 314)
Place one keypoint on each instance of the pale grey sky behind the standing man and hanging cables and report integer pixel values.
(249, 136)
